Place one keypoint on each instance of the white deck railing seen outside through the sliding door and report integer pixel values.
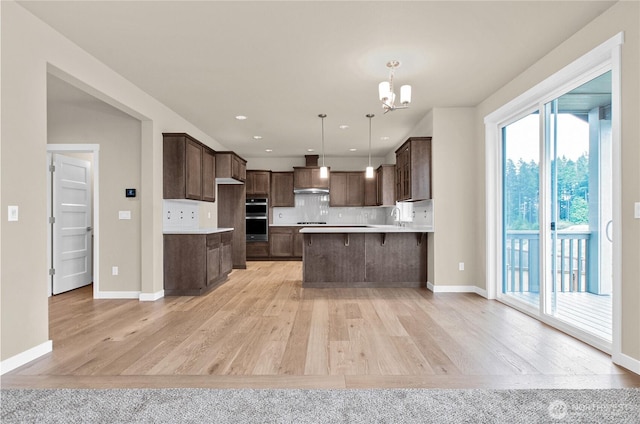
(522, 261)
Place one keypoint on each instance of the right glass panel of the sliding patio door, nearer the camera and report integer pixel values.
(578, 139)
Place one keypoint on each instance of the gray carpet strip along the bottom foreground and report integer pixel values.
(319, 406)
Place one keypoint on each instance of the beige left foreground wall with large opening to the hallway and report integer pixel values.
(30, 49)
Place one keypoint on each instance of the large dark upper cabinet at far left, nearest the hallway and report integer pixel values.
(188, 168)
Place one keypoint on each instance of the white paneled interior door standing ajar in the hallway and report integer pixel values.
(71, 241)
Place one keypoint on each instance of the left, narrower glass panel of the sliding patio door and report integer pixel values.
(521, 235)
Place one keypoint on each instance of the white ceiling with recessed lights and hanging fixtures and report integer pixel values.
(283, 63)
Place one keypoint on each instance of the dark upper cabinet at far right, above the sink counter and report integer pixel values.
(413, 170)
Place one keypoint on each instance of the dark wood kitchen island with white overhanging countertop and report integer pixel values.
(365, 256)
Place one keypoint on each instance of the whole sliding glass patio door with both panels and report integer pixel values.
(557, 258)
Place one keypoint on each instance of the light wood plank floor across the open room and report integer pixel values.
(261, 329)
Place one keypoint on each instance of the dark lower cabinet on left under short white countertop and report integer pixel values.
(195, 263)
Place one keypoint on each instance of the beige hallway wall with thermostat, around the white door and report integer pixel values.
(88, 121)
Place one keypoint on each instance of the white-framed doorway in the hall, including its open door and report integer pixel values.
(72, 202)
